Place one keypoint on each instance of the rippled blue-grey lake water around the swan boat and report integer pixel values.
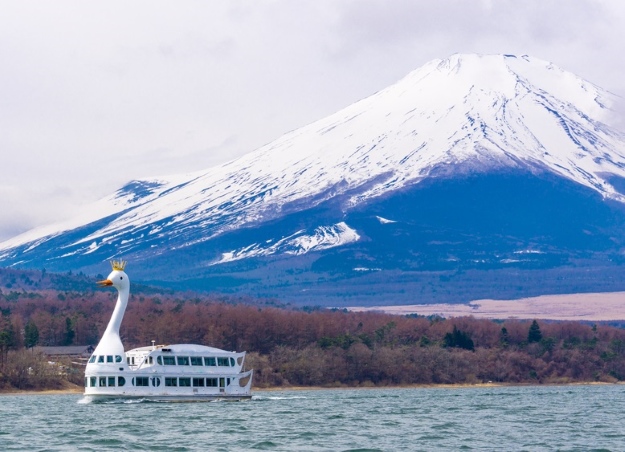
(580, 418)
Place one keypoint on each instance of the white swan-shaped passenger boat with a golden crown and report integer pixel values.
(180, 372)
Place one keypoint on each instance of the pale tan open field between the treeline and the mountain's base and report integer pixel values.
(589, 307)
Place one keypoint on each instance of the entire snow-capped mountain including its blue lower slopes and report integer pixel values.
(475, 176)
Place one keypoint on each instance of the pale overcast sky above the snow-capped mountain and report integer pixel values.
(95, 94)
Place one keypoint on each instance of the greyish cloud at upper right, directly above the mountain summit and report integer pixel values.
(584, 36)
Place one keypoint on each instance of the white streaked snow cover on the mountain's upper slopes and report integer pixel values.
(482, 111)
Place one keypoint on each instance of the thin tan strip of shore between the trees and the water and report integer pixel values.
(79, 390)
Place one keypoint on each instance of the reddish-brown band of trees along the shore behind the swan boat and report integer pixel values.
(324, 347)
